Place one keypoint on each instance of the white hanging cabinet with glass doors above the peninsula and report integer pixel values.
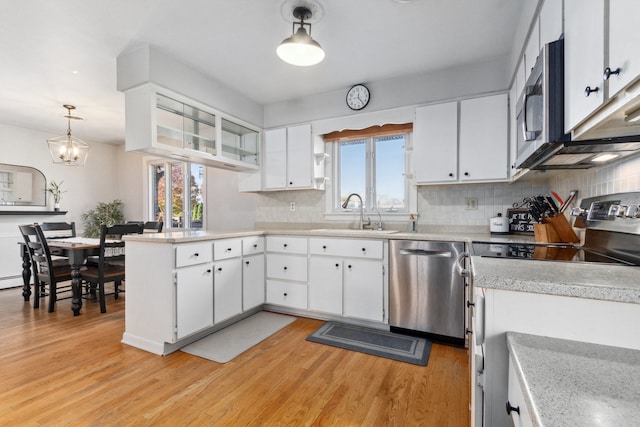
(163, 123)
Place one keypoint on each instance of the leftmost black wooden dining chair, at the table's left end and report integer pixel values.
(45, 273)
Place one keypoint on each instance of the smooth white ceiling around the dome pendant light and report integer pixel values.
(64, 51)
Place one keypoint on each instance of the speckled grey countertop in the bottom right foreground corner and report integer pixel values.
(570, 383)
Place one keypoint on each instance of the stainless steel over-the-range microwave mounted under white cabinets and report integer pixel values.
(540, 108)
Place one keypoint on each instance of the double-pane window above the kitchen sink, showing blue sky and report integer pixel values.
(373, 167)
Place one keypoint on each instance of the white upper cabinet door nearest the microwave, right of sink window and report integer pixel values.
(483, 138)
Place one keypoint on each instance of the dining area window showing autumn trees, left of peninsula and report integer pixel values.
(185, 179)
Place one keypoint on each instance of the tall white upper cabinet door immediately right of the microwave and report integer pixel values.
(583, 57)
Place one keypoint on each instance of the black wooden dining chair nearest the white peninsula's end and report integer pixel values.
(110, 267)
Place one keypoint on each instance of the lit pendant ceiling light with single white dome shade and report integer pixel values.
(300, 49)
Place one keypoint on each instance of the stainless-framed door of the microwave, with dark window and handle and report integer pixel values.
(530, 119)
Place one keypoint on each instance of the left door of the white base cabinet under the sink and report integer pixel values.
(325, 284)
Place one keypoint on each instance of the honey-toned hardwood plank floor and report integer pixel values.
(56, 369)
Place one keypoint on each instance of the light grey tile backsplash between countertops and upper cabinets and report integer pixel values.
(443, 206)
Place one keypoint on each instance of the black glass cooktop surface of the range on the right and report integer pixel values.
(542, 251)
